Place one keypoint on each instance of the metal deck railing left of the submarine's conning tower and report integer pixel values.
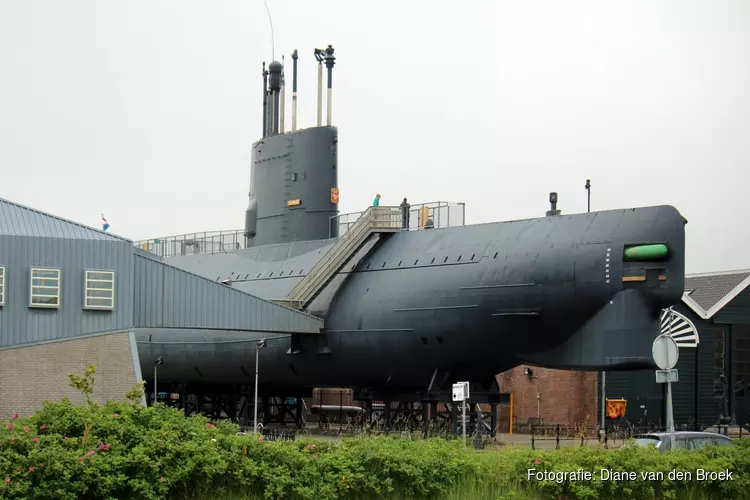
(206, 242)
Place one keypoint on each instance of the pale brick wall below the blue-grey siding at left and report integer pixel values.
(30, 375)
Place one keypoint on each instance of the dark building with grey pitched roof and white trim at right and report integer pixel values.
(714, 371)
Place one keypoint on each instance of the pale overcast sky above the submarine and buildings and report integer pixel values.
(145, 110)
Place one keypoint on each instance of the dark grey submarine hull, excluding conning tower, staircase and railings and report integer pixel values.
(465, 303)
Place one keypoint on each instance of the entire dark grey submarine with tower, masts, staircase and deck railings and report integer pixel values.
(412, 297)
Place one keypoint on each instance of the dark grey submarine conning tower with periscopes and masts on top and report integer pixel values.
(293, 178)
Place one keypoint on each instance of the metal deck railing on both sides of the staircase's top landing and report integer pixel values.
(436, 214)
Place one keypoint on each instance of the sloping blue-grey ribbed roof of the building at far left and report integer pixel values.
(19, 220)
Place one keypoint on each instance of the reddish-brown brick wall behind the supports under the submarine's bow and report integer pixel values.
(566, 397)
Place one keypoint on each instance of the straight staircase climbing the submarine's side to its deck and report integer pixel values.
(374, 221)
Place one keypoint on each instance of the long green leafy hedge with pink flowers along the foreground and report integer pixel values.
(124, 450)
